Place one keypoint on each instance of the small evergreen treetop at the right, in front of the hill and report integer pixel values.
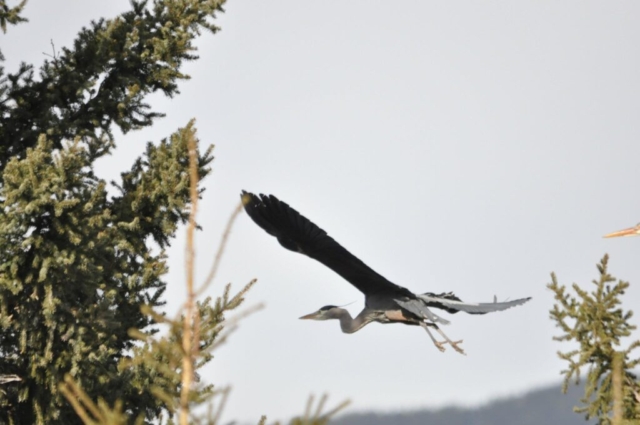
(595, 321)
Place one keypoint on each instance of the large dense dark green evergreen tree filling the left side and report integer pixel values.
(77, 265)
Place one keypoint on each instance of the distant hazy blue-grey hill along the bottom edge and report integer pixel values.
(546, 406)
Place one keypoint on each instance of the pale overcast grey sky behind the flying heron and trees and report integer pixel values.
(453, 146)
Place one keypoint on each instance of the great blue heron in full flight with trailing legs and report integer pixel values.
(385, 302)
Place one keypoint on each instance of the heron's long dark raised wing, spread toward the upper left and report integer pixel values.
(297, 233)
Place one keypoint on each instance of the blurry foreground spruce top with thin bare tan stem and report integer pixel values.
(168, 364)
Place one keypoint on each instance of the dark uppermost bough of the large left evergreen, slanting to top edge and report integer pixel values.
(104, 78)
